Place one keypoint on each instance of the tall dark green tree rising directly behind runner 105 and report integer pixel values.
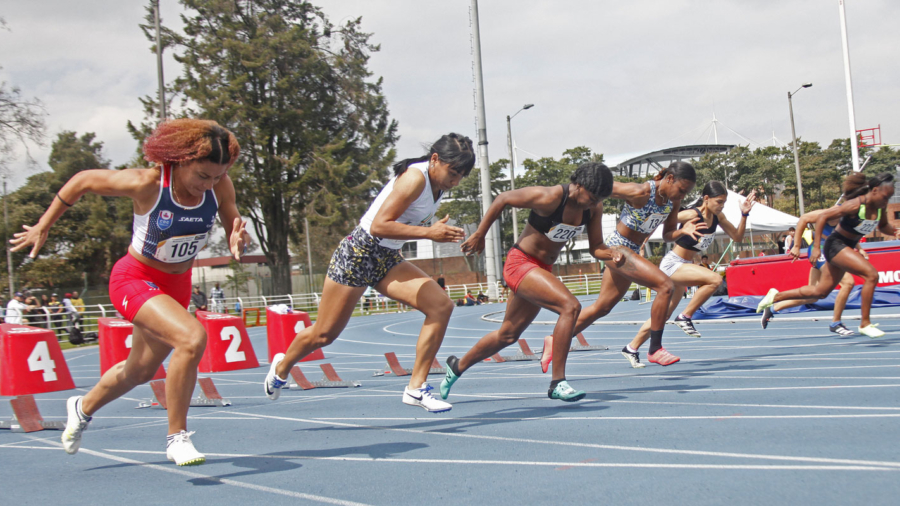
(314, 129)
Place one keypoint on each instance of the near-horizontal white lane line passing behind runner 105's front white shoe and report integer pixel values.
(533, 463)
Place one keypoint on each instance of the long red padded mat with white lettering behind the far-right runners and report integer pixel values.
(755, 276)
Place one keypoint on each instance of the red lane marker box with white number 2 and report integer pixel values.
(228, 346)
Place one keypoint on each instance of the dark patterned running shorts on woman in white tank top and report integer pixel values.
(360, 261)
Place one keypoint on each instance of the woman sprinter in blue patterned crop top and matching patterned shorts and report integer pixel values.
(647, 205)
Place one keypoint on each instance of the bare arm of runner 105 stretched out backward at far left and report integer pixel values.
(141, 185)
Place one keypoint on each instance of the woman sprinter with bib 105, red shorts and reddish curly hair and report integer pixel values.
(175, 207)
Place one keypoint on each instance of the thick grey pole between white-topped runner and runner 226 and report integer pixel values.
(490, 258)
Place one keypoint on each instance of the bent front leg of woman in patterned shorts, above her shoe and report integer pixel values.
(408, 285)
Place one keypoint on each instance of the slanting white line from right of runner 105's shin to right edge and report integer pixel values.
(820, 460)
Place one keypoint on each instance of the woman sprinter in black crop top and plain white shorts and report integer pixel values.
(677, 264)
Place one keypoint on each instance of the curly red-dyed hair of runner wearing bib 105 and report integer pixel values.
(184, 140)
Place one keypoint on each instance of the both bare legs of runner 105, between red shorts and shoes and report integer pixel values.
(161, 325)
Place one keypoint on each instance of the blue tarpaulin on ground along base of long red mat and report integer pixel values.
(746, 305)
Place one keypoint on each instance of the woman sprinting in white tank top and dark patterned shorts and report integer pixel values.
(370, 256)
